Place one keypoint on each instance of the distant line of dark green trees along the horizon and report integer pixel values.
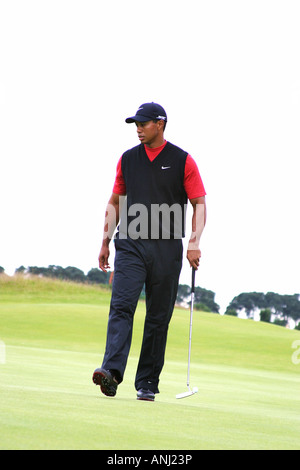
(270, 307)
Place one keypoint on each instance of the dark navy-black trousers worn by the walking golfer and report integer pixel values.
(157, 264)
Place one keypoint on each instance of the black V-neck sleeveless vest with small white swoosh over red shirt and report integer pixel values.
(156, 198)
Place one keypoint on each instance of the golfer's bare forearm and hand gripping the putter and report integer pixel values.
(198, 224)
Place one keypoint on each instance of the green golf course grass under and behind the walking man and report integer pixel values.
(54, 335)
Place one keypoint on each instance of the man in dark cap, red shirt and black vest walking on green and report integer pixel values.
(157, 178)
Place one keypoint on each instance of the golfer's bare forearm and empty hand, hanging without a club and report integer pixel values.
(112, 216)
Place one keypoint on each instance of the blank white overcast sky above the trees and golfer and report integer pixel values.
(228, 74)
